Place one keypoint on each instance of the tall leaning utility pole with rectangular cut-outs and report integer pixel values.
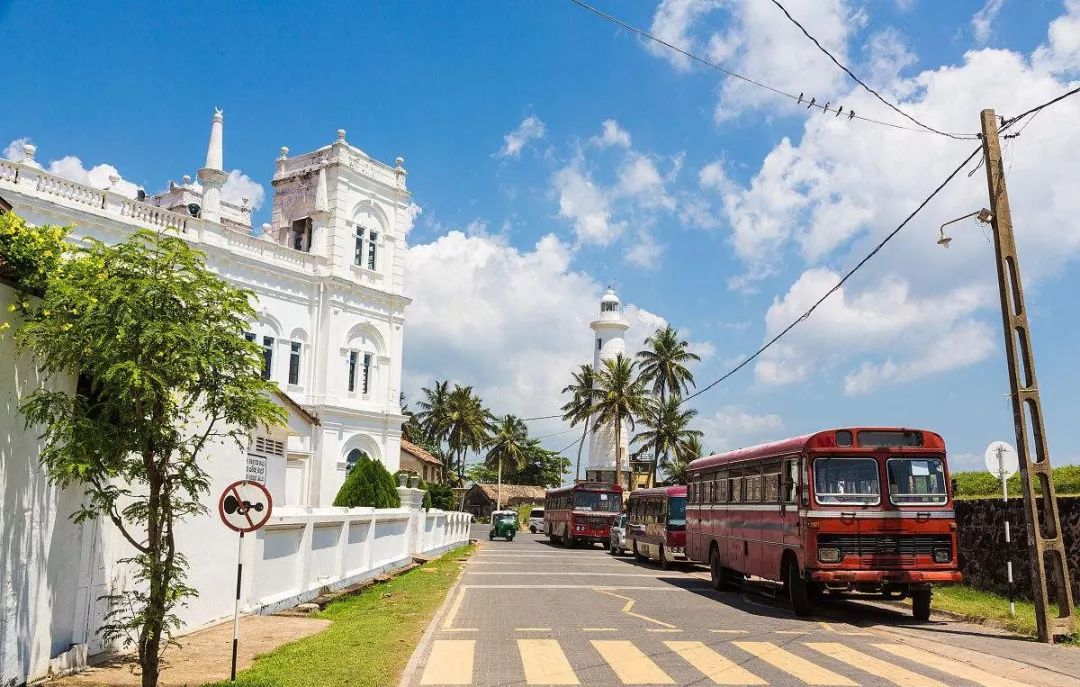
(1046, 545)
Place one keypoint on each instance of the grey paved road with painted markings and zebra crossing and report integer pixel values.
(530, 614)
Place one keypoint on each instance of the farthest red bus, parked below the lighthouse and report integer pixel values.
(582, 514)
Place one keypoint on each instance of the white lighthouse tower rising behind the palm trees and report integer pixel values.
(610, 341)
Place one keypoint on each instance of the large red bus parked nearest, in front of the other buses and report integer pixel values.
(862, 510)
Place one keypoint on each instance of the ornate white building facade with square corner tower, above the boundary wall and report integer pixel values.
(328, 273)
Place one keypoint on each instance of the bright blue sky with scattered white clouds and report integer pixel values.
(722, 210)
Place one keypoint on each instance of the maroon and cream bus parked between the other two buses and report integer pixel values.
(657, 529)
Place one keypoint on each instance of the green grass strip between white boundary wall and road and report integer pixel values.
(373, 636)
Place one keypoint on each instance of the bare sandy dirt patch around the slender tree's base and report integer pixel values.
(205, 656)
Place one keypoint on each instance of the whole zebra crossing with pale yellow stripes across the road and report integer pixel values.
(609, 662)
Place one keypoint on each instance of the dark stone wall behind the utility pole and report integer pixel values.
(982, 544)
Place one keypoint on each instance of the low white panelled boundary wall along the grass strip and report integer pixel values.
(304, 553)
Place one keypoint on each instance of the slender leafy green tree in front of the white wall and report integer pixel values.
(156, 340)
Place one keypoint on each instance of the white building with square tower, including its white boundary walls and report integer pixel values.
(329, 276)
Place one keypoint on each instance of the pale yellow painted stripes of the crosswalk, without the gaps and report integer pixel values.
(545, 663)
